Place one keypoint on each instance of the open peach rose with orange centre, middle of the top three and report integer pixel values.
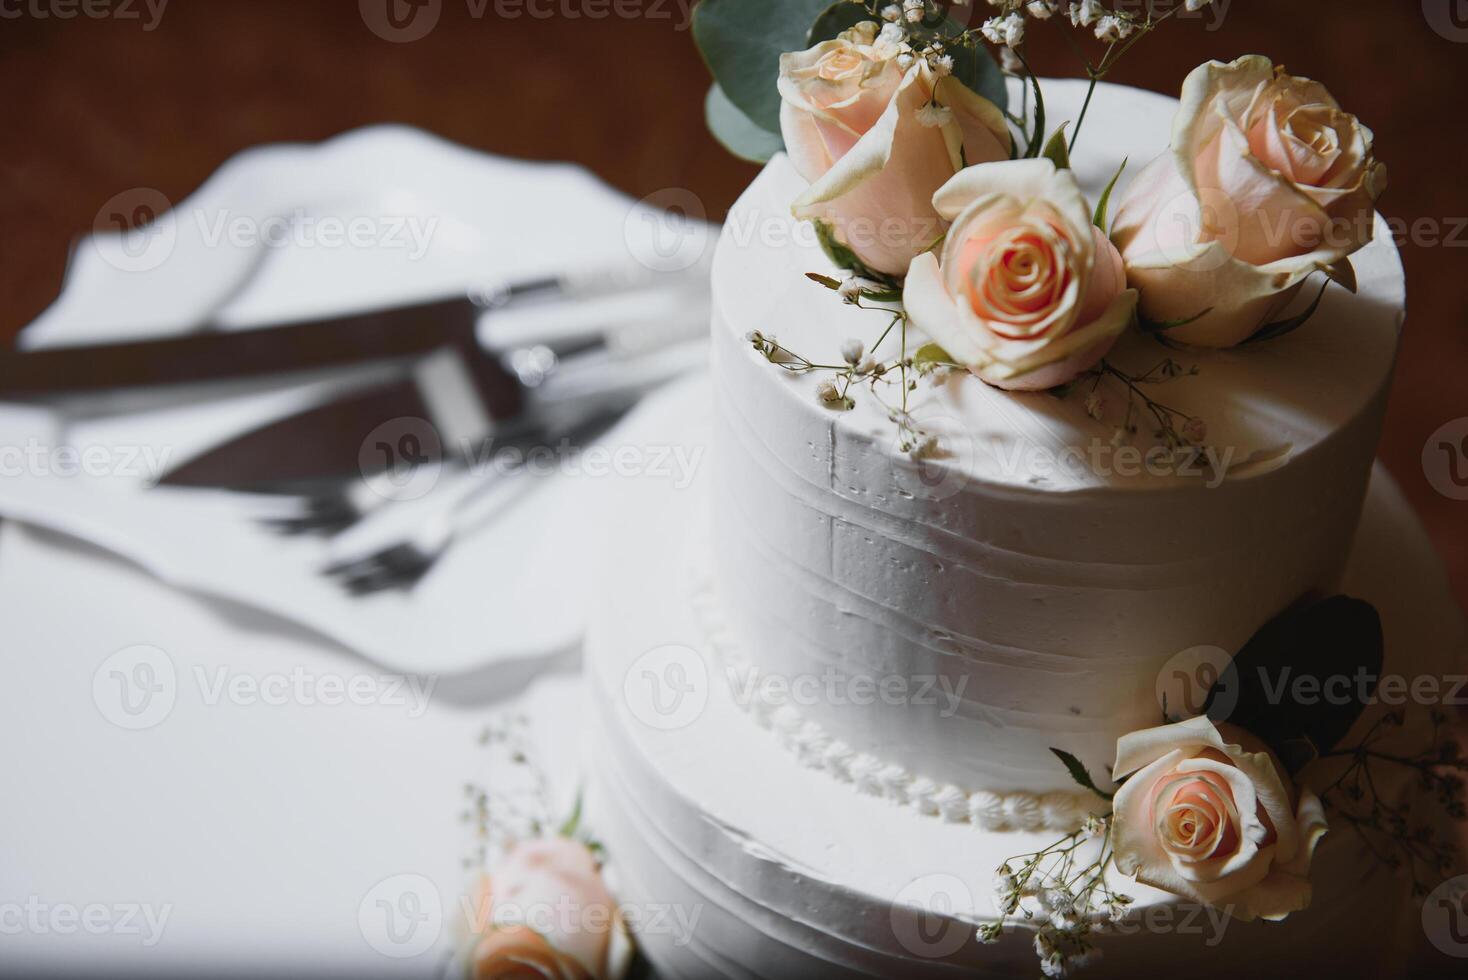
(1027, 294)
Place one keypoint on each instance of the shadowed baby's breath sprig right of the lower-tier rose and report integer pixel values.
(1392, 831)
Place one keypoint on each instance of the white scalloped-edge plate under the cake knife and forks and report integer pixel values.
(438, 219)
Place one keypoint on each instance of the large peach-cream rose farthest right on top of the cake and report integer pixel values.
(1268, 181)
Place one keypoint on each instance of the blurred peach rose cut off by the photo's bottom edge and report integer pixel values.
(547, 909)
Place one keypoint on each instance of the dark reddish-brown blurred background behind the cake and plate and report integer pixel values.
(98, 106)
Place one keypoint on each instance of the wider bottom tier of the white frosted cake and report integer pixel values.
(745, 859)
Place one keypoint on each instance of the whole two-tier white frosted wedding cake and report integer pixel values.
(830, 683)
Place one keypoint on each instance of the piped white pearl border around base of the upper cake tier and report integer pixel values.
(817, 749)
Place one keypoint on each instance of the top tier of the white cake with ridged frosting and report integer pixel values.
(952, 620)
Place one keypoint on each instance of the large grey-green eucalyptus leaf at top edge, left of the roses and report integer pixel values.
(742, 43)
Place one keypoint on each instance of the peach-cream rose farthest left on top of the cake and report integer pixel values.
(877, 143)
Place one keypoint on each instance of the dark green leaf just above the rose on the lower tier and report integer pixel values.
(1304, 679)
